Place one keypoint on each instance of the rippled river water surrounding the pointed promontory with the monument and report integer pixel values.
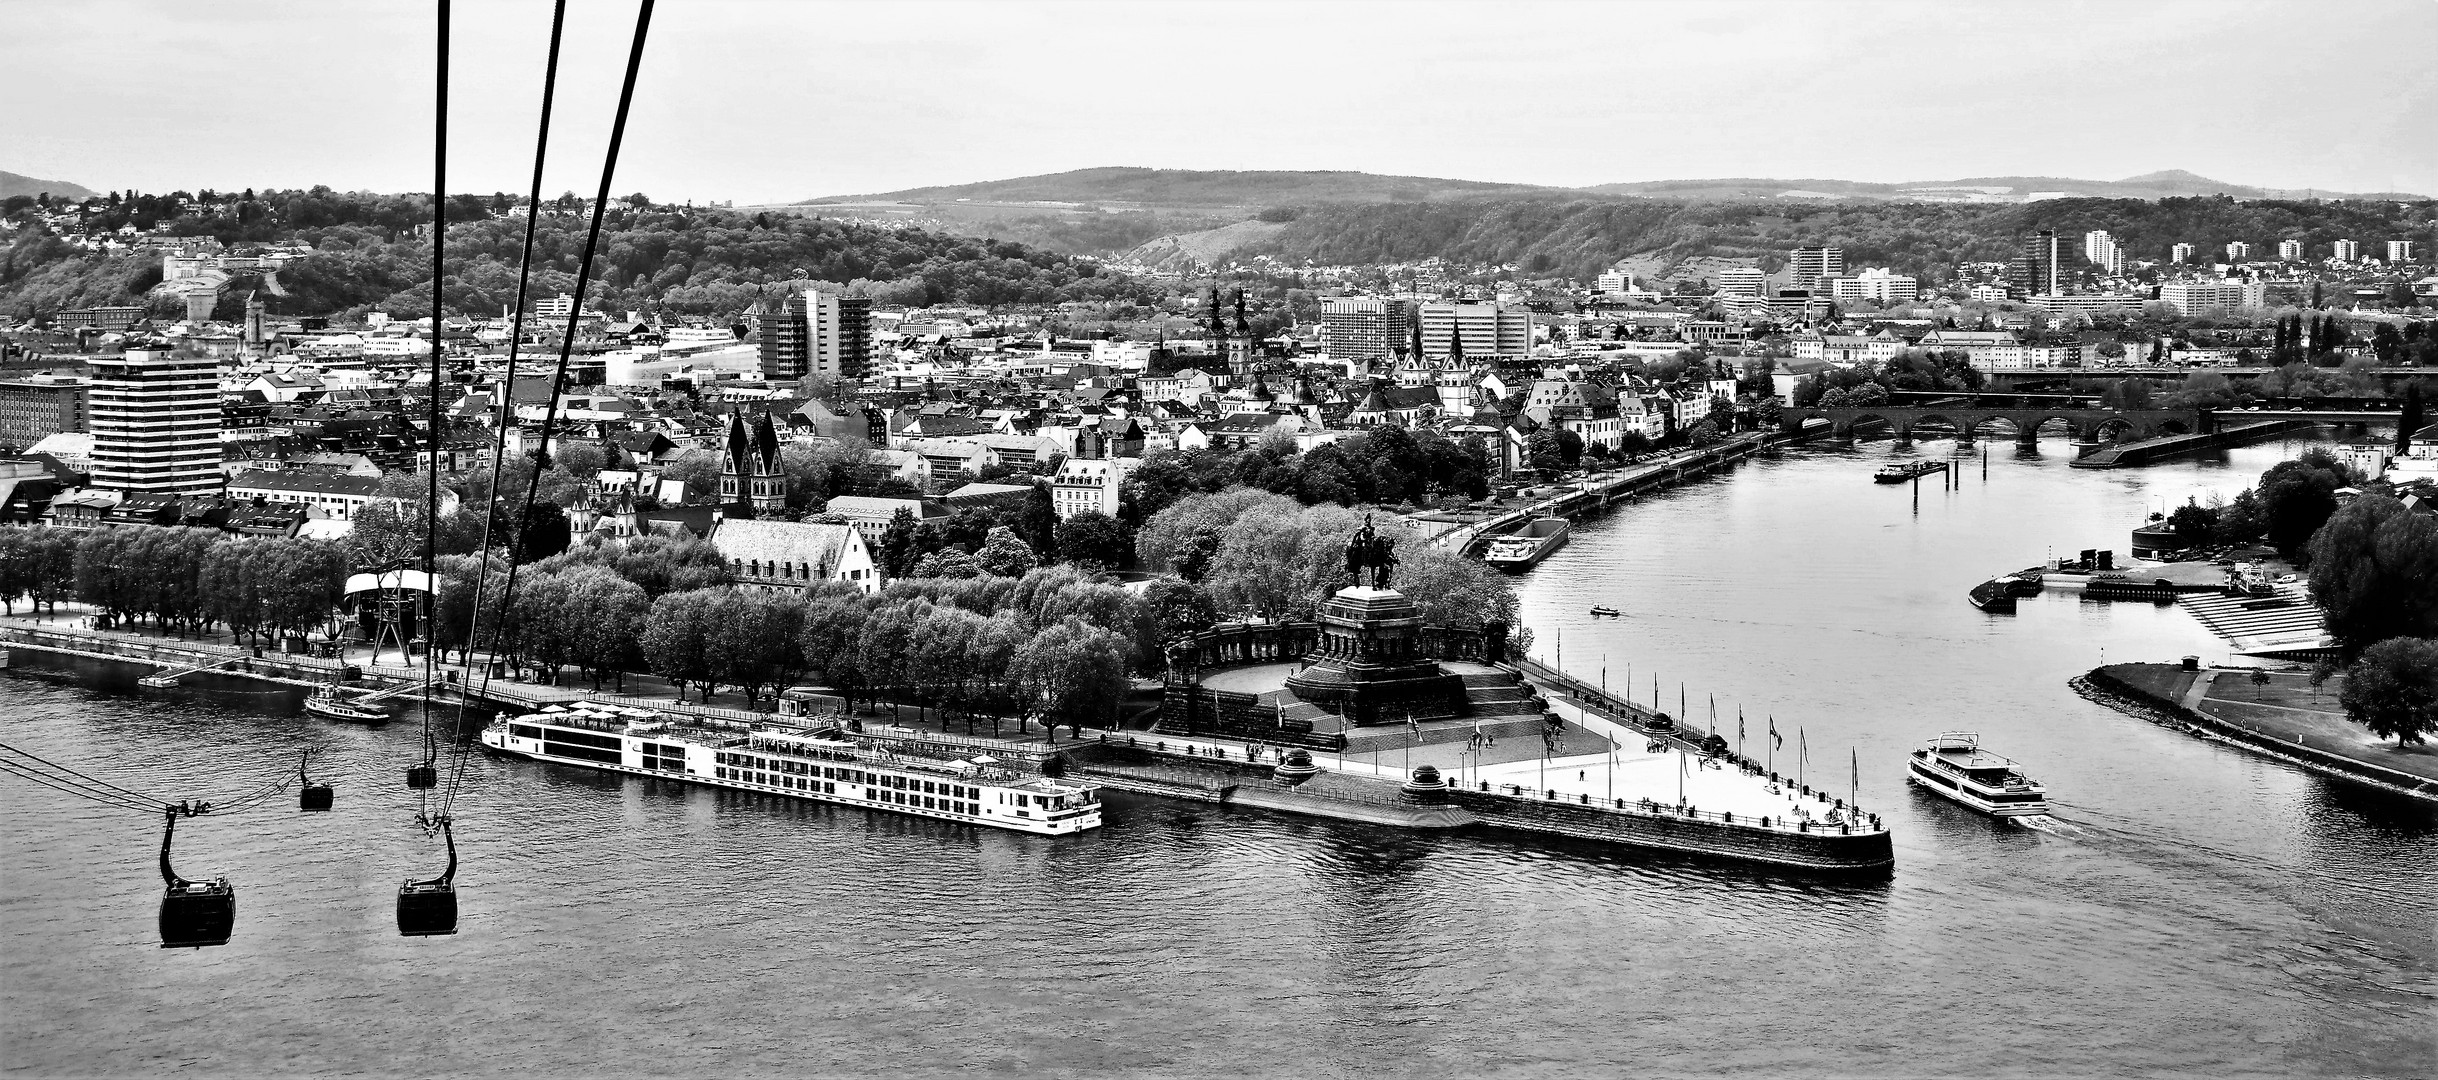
(2188, 911)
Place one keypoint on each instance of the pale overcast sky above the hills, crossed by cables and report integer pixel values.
(789, 101)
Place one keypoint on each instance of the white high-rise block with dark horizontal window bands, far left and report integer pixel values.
(155, 423)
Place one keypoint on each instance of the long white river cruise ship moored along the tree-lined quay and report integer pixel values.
(825, 767)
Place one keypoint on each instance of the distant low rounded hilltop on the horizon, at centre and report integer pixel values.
(1196, 189)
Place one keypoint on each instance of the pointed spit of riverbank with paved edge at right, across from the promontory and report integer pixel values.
(2283, 718)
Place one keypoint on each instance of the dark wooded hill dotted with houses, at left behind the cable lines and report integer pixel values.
(672, 260)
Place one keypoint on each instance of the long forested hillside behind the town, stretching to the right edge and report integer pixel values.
(1581, 238)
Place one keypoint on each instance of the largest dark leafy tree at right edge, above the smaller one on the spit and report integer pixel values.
(2376, 574)
